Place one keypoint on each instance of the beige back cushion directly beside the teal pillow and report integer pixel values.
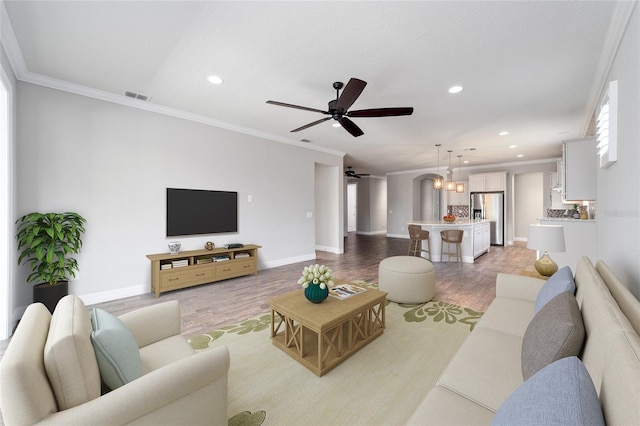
(69, 358)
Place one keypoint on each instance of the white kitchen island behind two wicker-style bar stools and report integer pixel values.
(475, 240)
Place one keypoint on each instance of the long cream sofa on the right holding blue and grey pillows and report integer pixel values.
(487, 369)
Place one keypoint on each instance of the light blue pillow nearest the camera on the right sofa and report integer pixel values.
(562, 393)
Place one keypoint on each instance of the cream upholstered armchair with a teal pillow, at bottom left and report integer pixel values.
(49, 373)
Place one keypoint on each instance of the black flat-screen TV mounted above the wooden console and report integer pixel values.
(195, 211)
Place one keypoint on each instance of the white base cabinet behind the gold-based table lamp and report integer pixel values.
(579, 240)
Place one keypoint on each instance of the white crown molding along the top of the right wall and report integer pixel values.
(617, 26)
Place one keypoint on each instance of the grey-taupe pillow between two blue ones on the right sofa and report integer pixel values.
(555, 332)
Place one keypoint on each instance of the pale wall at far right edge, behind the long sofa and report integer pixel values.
(618, 204)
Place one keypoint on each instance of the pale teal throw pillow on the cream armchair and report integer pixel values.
(116, 349)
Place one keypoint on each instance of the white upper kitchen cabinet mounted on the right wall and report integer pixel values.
(580, 169)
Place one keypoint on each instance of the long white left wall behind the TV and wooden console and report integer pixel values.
(112, 163)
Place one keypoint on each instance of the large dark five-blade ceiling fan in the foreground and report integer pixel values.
(339, 108)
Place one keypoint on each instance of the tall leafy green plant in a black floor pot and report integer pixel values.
(45, 240)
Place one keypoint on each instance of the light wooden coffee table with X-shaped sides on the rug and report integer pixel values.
(321, 336)
